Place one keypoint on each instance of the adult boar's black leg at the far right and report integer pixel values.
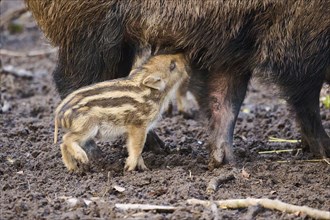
(304, 98)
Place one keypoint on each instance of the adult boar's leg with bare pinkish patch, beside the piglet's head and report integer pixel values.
(226, 92)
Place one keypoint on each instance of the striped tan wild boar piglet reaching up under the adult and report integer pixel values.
(130, 106)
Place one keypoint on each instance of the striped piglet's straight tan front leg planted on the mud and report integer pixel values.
(135, 142)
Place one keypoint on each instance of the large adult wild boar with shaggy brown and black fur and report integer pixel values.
(285, 42)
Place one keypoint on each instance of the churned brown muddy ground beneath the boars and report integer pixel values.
(35, 184)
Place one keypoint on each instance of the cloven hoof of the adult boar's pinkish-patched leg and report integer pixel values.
(220, 155)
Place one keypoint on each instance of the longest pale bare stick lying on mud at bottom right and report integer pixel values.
(266, 203)
